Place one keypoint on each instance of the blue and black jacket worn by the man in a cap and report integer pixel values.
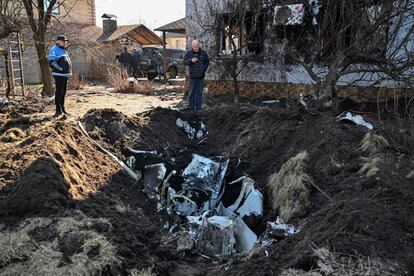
(60, 62)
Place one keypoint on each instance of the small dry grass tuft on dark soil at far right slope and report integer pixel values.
(373, 146)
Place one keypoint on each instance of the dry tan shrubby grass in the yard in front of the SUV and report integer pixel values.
(119, 79)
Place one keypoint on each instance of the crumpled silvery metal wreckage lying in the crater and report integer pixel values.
(209, 223)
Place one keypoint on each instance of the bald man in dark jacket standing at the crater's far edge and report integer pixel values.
(197, 61)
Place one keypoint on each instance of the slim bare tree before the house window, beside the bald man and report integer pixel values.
(233, 24)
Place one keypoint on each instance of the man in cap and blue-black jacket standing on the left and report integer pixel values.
(61, 70)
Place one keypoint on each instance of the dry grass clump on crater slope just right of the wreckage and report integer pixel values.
(290, 187)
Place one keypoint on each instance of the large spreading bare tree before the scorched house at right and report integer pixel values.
(365, 41)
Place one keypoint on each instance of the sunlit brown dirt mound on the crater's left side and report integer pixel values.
(41, 175)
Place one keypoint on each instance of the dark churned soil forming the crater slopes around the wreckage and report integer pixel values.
(55, 168)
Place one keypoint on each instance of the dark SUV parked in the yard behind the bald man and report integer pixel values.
(175, 62)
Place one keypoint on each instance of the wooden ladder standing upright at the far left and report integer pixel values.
(14, 62)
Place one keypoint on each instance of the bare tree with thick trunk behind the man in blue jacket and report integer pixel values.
(39, 15)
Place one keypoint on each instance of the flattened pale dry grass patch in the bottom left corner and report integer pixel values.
(21, 254)
